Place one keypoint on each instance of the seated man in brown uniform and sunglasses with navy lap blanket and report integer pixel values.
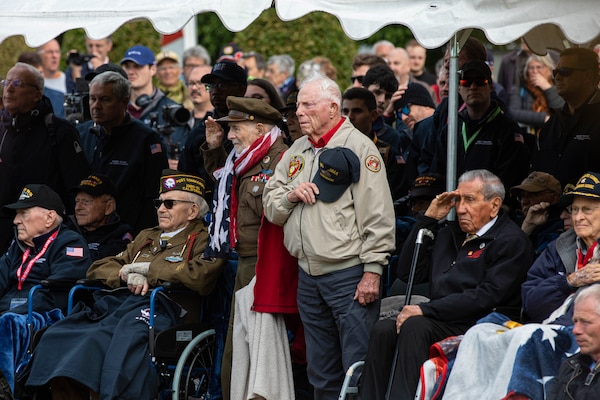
(102, 350)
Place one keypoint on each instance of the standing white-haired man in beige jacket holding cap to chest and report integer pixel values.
(330, 193)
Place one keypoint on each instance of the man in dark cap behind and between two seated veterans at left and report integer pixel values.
(96, 217)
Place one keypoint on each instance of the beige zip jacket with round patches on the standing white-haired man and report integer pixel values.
(358, 228)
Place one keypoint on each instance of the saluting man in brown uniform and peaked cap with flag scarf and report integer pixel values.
(241, 178)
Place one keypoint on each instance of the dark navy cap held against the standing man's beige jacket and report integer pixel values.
(338, 168)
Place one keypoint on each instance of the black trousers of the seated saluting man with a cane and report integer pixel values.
(412, 344)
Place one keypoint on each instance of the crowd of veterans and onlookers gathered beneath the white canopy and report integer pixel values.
(173, 164)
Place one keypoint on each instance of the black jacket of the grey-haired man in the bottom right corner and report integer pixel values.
(570, 383)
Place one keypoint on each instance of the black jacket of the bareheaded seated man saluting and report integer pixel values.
(467, 282)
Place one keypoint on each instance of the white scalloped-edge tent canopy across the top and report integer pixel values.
(433, 22)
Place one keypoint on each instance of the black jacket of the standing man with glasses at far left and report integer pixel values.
(36, 147)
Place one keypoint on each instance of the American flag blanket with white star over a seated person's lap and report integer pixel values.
(501, 359)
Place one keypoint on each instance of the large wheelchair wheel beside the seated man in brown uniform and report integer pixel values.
(193, 372)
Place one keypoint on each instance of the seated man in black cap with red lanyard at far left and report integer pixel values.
(43, 248)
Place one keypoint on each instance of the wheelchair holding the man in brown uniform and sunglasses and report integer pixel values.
(186, 358)
